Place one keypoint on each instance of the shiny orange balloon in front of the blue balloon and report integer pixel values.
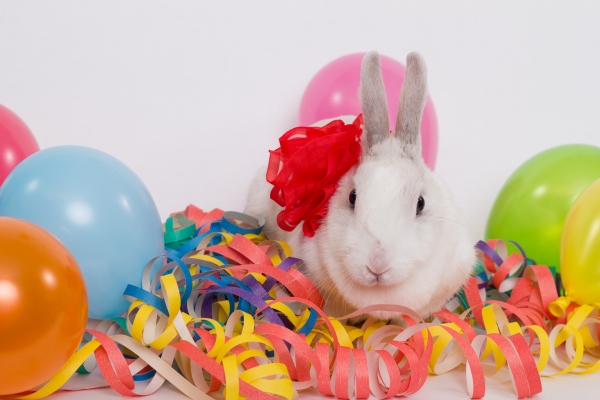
(43, 305)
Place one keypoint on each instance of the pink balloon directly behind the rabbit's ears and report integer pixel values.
(333, 92)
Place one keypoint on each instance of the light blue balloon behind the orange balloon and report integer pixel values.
(98, 208)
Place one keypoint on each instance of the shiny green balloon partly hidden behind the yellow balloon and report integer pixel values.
(533, 203)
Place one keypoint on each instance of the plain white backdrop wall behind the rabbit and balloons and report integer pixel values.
(192, 94)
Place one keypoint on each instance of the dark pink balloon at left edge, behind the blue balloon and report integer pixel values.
(16, 142)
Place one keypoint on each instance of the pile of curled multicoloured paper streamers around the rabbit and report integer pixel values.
(232, 311)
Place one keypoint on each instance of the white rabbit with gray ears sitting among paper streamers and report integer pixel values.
(381, 251)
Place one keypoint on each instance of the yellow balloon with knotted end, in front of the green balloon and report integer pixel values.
(580, 251)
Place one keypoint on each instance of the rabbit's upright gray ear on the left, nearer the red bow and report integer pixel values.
(373, 100)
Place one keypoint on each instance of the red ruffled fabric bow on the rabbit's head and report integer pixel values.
(306, 168)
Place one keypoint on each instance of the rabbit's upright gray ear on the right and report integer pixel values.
(413, 96)
